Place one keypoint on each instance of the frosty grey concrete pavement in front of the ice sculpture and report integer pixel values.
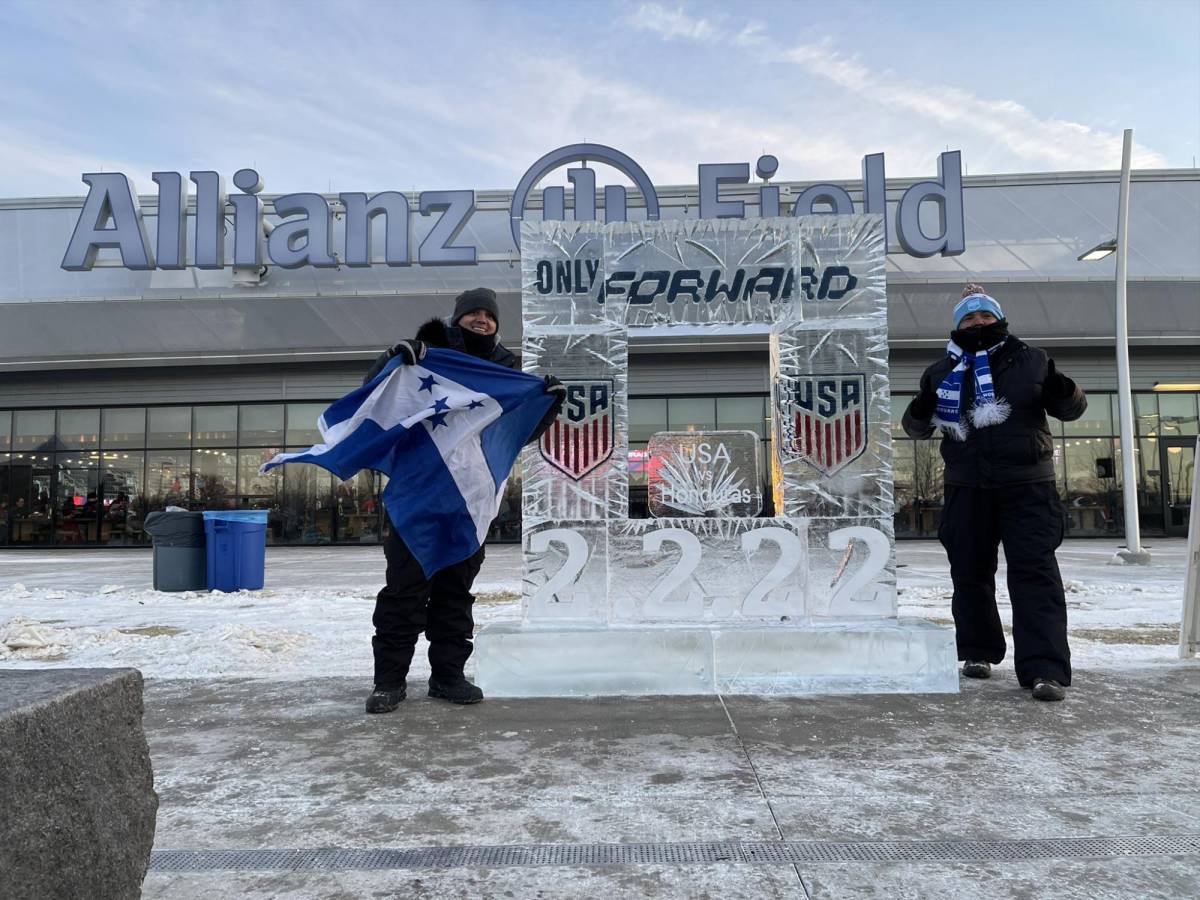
(253, 765)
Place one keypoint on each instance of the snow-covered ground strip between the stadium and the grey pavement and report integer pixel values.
(95, 609)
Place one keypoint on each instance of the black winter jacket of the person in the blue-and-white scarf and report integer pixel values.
(1019, 451)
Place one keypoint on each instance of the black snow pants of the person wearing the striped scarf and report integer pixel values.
(1030, 521)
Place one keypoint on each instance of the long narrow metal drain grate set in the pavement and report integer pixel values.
(693, 854)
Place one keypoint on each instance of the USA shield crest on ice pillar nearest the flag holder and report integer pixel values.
(581, 439)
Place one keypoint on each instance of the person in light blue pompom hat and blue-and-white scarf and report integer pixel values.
(989, 398)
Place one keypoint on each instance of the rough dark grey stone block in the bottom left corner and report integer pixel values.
(77, 800)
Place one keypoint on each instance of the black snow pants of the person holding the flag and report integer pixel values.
(411, 604)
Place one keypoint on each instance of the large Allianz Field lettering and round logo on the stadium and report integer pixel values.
(112, 217)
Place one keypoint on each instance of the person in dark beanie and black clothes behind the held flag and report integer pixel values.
(440, 607)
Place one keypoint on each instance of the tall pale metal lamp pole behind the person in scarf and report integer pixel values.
(1133, 553)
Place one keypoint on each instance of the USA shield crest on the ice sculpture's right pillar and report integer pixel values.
(823, 419)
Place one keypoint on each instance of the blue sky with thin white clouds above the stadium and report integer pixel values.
(350, 97)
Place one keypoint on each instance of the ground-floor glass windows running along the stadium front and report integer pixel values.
(89, 477)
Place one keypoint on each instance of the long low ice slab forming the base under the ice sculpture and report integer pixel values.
(905, 656)
